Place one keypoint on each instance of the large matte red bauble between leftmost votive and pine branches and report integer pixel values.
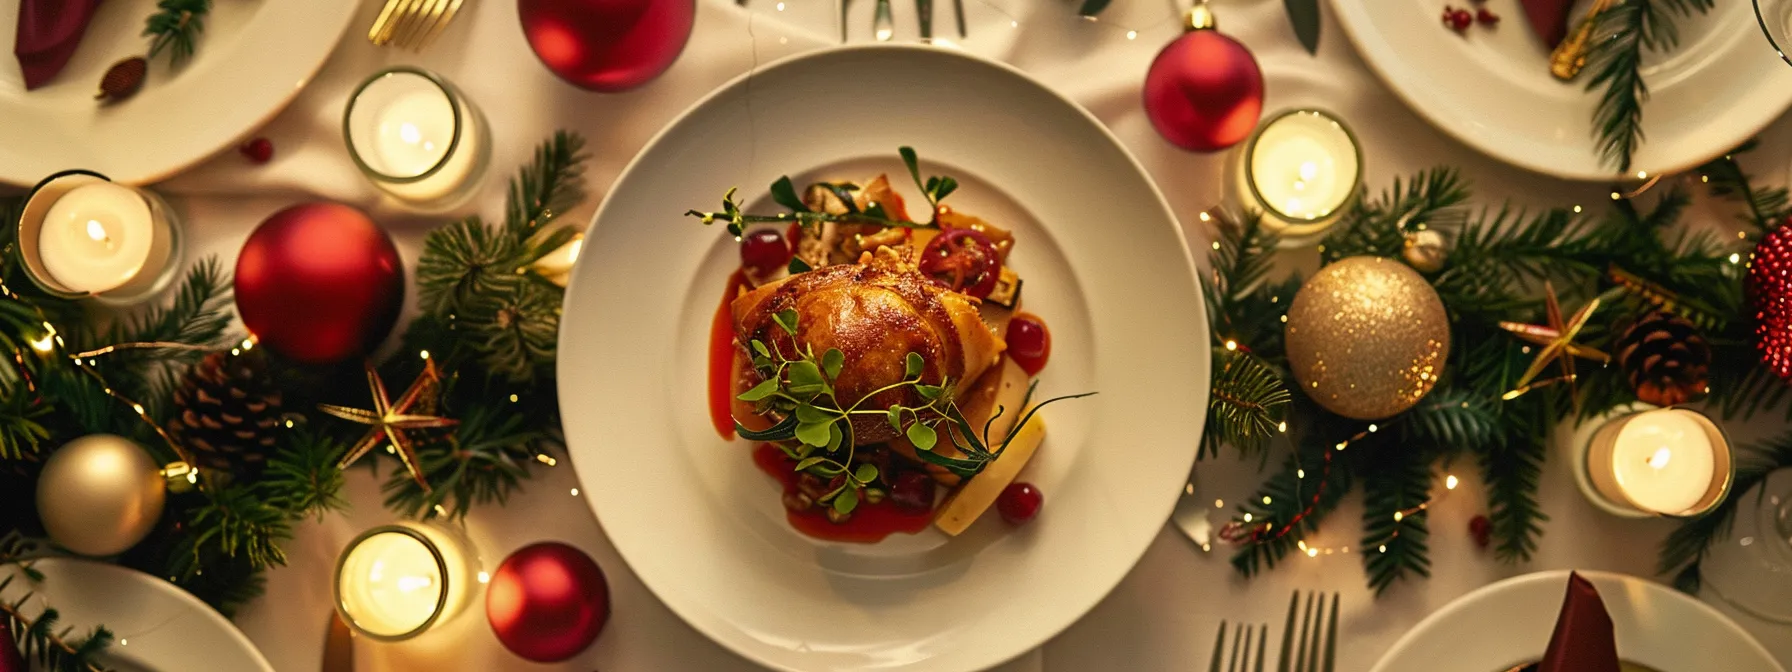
(320, 284)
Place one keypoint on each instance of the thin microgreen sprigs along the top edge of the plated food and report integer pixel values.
(784, 193)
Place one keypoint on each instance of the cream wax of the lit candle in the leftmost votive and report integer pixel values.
(99, 237)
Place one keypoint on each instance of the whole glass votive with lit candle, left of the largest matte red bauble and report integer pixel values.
(85, 237)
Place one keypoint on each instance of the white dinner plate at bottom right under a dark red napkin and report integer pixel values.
(1510, 623)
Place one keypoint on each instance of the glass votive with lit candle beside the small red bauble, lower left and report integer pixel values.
(399, 582)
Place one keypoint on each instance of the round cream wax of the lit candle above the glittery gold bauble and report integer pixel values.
(1304, 166)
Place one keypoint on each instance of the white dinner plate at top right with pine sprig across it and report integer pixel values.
(1494, 92)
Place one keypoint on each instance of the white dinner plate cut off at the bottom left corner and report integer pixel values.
(157, 628)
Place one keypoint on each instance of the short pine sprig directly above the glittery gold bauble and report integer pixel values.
(1379, 227)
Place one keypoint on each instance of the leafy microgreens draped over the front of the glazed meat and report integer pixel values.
(816, 427)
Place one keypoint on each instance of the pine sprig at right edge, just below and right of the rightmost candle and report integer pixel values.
(1685, 549)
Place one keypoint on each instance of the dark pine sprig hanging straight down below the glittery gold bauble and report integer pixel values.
(1395, 535)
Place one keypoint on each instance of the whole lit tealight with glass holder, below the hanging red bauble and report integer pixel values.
(1300, 169)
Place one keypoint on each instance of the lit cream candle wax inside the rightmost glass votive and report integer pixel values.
(1664, 461)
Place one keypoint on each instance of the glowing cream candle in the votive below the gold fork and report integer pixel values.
(415, 134)
